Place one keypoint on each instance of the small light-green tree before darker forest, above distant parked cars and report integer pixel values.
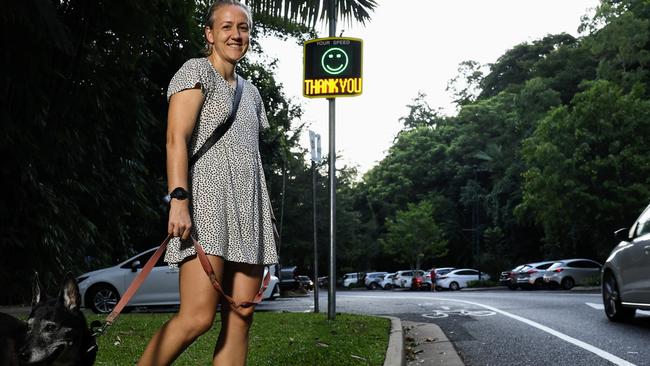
(413, 232)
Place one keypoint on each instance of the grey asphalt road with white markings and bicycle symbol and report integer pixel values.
(507, 327)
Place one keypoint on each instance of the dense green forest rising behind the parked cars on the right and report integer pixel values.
(546, 157)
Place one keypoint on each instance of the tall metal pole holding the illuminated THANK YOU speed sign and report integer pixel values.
(331, 298)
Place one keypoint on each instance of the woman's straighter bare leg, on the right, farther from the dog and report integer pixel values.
(243, 282)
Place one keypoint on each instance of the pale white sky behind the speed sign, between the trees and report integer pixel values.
(412, 46)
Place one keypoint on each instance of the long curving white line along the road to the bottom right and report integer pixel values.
(586, 346)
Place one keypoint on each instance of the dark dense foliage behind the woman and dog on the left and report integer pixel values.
(84, 110)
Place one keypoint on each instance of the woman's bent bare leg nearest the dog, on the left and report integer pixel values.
(196, 314)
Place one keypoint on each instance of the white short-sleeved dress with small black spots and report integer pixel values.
(230, 206)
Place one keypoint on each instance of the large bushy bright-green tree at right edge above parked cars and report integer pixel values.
(587, 171)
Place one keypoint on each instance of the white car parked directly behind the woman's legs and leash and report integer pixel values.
(101, 290)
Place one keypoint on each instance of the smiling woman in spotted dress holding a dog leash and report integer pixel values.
(221, 200)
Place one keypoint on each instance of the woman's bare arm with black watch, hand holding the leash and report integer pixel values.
(184, 109)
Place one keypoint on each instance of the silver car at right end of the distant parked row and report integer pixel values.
(570, 272)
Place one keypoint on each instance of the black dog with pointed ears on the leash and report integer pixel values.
(55, 333)
